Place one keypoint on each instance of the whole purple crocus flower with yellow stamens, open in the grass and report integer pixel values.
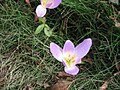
(71, 55)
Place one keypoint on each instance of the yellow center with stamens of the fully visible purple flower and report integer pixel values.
(69, 60)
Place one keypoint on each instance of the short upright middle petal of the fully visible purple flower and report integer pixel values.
(68, 47)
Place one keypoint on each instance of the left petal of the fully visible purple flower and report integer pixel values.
(56, 51)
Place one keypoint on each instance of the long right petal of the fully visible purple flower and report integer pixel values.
(83, 48)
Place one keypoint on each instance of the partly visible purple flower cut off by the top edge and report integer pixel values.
(51, 4)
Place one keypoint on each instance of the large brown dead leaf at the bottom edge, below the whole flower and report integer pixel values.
(62, 85)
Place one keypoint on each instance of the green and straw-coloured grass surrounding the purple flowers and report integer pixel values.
(25, 57)
